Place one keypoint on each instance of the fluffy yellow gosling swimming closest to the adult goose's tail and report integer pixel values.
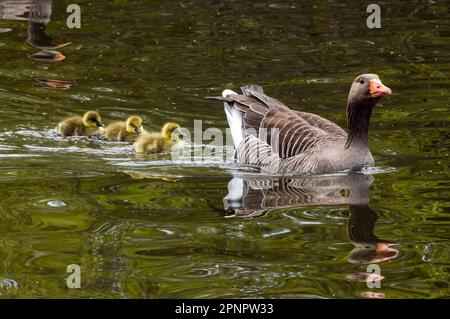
(158, 142)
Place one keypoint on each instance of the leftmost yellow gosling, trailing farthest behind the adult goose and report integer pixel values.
(88, 125)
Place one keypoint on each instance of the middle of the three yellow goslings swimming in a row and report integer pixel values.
(123, 131)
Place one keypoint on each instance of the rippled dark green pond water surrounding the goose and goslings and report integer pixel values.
(149, 227)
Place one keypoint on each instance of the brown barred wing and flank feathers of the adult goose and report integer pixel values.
(281, 133)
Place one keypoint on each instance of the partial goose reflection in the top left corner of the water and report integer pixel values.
(38, 14)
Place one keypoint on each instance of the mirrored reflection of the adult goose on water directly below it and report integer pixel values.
(251, 196)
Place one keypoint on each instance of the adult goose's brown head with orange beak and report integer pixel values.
(366, 90)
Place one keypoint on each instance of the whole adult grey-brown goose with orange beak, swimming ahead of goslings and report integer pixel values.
(269, 135)
